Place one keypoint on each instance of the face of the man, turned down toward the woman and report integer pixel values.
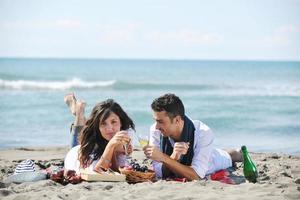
(163, 123)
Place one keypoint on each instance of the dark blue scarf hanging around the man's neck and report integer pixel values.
(187, 135)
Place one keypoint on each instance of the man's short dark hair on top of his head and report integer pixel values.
(169, 103)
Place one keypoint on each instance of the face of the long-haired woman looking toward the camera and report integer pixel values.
(109, 127)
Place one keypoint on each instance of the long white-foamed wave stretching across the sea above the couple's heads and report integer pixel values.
(204, 89)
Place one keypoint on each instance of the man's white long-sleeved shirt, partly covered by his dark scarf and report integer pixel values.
(206, 160)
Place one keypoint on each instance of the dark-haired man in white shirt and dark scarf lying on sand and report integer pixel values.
(181, 147)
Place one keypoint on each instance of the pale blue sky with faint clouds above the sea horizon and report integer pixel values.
(151, 29)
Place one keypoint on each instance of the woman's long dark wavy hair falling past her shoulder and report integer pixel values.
(91, 141)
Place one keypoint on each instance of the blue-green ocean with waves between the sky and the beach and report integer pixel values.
(253, 103)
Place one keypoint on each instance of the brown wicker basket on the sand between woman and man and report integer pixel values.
(138, 177)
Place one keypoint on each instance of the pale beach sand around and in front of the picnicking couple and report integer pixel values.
(279, 179)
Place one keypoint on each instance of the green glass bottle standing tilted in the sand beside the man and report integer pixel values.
(250, 171)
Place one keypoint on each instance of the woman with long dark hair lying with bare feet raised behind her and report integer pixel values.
(104, 138)
